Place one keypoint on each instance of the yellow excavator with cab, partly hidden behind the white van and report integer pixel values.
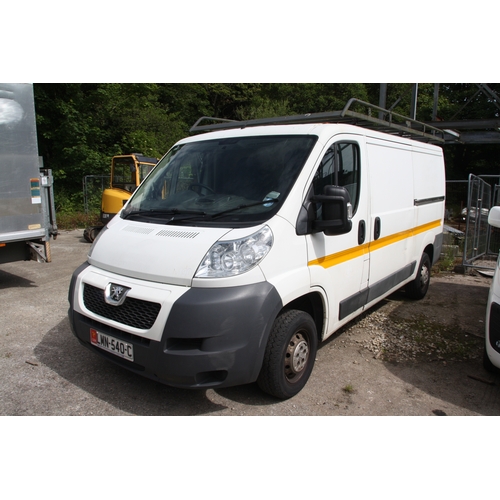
(127, 172)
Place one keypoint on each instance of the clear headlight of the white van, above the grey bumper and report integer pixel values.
(230, 258)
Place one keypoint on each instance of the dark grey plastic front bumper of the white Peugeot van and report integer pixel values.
(210, 338)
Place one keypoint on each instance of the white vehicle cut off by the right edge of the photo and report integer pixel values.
(491, 359)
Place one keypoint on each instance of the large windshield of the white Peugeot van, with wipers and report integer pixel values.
(241, 180)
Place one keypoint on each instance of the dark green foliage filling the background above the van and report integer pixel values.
(81, 126)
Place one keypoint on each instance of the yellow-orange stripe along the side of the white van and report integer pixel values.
(352, 253)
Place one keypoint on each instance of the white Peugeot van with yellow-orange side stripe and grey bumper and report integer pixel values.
(245, 247)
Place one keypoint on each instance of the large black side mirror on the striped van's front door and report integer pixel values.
(337, 209)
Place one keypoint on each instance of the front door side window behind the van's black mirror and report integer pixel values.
(340, 167)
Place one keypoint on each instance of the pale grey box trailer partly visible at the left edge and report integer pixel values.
(27, 213)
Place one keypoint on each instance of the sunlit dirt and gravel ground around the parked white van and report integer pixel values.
(401, 358)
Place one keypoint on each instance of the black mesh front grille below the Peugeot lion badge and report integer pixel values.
(133, 312)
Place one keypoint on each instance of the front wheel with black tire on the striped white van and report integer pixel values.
(290, 354)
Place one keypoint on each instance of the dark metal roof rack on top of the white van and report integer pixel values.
(386, 121)
